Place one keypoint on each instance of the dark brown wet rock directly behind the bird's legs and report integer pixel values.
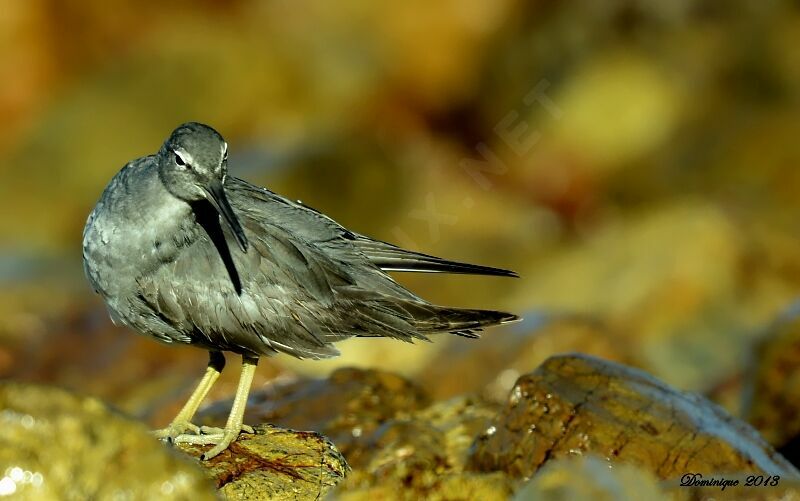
(346, 407)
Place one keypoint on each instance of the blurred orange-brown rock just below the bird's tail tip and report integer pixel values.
(491, 365)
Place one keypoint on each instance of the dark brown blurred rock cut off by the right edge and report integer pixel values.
(774, 407)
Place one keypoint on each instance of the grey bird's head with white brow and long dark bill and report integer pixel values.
(193, 165)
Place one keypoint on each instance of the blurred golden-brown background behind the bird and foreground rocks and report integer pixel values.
(636, 161)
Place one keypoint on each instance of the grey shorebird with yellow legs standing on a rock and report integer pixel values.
(184, 253)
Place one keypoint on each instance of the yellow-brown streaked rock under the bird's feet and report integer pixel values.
(275, 463)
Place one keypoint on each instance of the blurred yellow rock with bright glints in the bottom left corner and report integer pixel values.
(57, 445)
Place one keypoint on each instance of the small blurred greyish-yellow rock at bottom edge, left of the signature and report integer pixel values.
(590, 478)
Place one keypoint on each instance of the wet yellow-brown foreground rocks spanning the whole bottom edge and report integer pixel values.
(633, 430)
